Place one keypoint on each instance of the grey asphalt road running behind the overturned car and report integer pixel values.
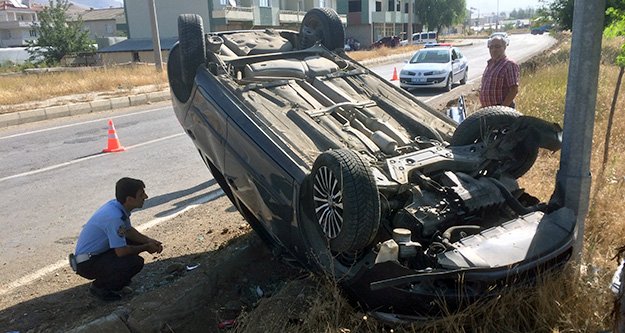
(54, 176)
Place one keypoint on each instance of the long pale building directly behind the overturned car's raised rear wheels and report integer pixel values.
(218, 15)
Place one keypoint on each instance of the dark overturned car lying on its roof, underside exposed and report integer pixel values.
(353, 177)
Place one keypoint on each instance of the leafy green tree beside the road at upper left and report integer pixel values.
(57, 36)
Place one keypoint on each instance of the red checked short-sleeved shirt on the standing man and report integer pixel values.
(497, 79)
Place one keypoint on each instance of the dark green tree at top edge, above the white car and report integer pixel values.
(439, 13)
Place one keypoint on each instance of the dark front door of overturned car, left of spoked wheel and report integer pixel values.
(260, 174)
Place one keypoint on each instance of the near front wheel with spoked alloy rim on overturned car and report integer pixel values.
(345, 200)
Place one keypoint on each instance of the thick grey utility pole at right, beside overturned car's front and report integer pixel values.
(573, 179)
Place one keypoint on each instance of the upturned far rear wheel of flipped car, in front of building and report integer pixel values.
(323, 25)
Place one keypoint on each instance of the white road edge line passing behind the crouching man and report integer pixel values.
(64, 262)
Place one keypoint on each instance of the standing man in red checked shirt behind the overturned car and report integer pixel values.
(500, 81)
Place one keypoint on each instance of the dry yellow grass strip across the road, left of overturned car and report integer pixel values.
(24, 88)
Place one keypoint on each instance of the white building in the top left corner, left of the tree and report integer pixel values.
(16, 23)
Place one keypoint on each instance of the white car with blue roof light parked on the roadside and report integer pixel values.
(435, 67)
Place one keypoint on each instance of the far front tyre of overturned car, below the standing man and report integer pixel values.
(491, 121)
